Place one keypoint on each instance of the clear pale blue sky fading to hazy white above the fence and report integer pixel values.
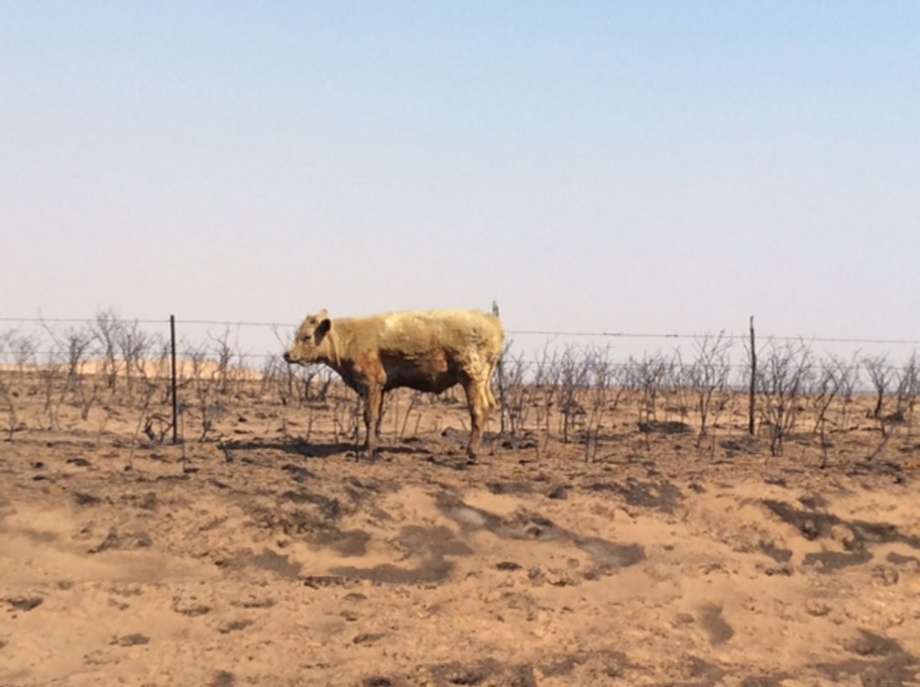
(645, 166)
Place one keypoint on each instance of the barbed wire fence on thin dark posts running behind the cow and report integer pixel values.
(42, 340)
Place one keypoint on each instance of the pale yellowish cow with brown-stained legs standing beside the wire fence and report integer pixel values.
(426, 350)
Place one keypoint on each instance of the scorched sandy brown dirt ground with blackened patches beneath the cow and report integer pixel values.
(263, 559)
